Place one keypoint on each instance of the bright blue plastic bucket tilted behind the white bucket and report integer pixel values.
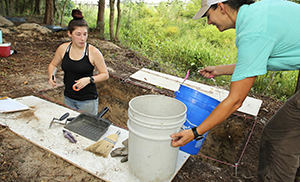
(199, 106)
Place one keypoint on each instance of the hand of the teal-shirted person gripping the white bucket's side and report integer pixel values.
(182, 138)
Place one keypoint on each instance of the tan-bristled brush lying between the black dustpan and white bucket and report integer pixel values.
(103, 147)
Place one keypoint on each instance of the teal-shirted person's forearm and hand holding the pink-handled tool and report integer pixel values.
(209, 71)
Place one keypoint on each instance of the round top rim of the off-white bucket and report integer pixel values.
(157, 117)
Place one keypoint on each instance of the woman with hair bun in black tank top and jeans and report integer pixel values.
(78, 60)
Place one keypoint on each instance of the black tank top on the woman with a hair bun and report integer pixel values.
(74, 70)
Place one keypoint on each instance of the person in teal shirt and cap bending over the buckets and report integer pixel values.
(267, 39)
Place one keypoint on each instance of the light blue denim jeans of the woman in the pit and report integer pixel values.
(88, 106)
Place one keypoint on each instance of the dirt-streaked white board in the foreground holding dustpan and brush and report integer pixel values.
(33, 125)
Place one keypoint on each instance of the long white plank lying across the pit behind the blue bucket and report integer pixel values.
(250, 106)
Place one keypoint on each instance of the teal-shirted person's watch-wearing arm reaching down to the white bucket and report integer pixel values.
(238, 92)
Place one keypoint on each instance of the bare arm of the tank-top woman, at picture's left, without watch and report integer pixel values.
(54, 63)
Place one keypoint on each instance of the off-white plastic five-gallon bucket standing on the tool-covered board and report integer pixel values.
(152, 119)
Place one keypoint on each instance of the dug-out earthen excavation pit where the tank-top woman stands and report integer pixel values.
(224, 142)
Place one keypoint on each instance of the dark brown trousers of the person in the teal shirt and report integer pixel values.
(280, 144)
